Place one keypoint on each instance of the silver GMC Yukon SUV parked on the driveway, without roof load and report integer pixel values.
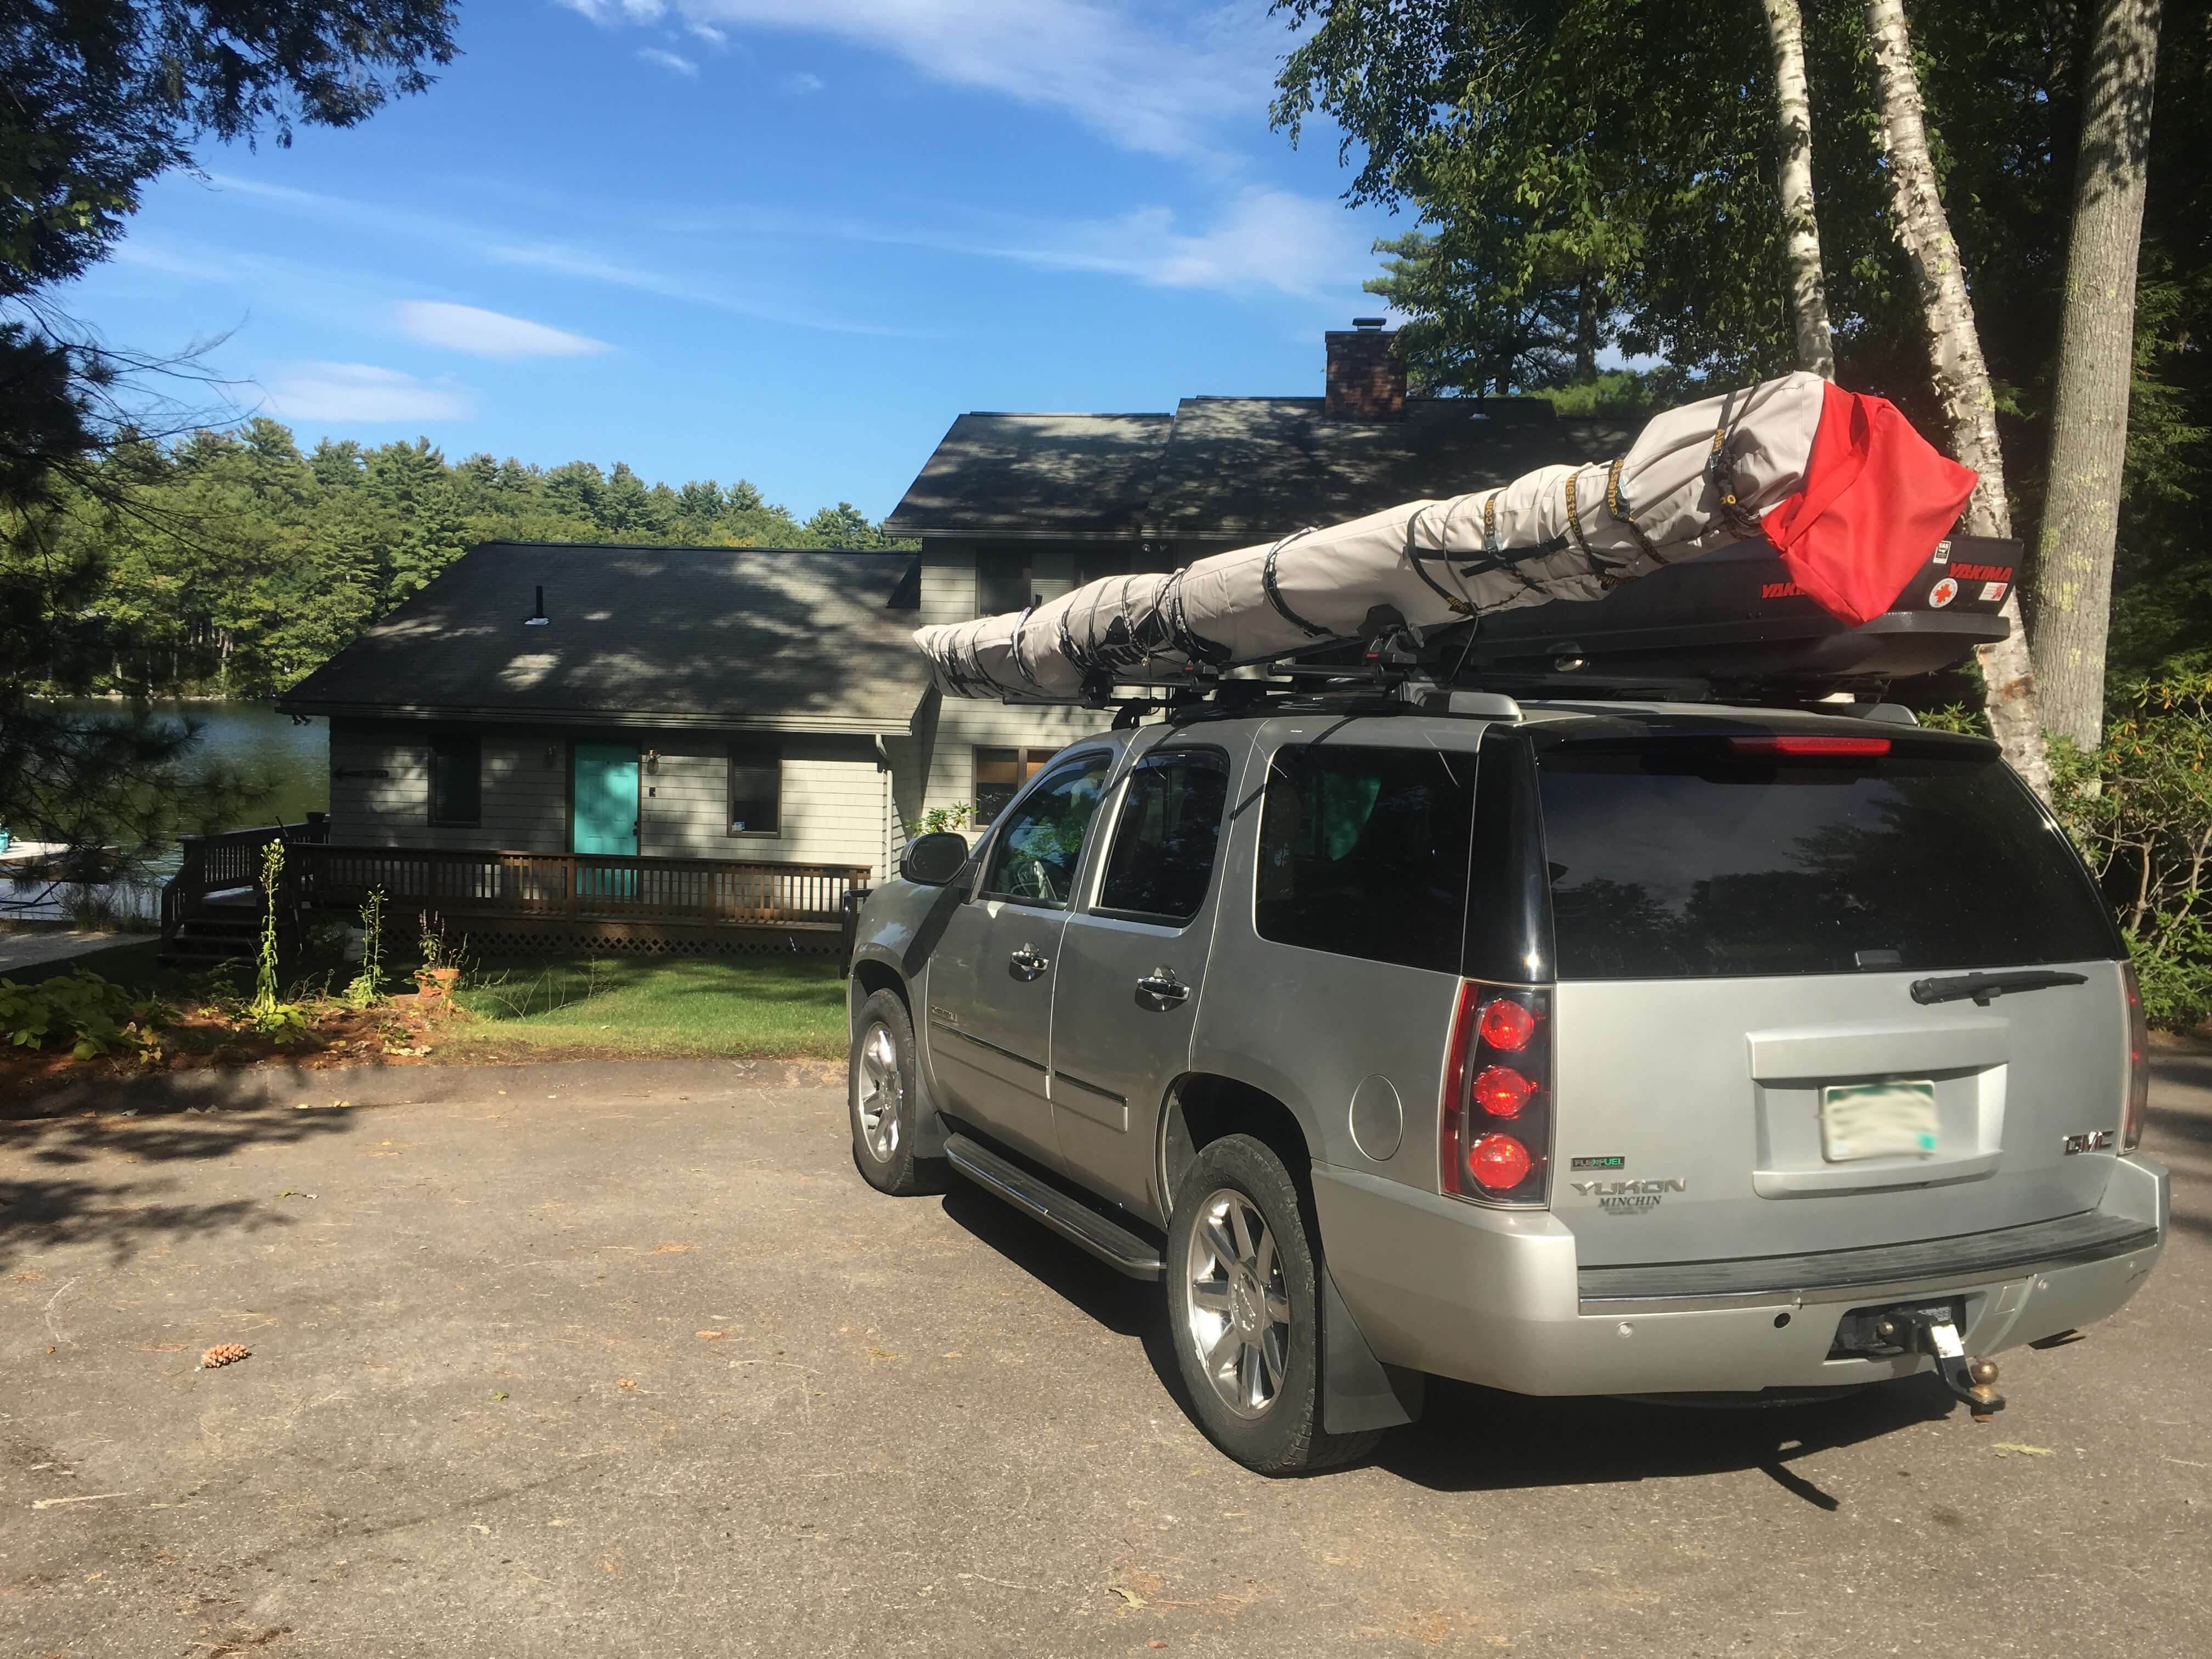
(1565, 1050)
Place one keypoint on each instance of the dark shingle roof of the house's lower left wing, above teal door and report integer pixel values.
(680, 636)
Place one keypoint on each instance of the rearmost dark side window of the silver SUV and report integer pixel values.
(1364, 853)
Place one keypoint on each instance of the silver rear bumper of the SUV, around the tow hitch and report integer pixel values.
(1496, 1297)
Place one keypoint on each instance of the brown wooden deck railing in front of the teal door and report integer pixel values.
(554, 886)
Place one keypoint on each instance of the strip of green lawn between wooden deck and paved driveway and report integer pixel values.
(669, 1005)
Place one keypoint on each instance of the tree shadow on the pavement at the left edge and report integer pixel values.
(98, 1180)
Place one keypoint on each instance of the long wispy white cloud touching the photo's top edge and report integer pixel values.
(1145, 74)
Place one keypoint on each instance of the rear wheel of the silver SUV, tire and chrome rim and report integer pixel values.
(1244, 1313)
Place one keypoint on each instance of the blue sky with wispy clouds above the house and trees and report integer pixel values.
(782, 240)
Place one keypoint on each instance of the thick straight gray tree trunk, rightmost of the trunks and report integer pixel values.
(2089, 417)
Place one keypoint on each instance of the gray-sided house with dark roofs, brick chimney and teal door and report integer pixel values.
(766, 709)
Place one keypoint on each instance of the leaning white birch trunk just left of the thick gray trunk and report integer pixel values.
(1961, 375)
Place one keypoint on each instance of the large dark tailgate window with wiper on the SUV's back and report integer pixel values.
(1673, 857)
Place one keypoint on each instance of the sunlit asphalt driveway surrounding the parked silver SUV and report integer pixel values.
(629, 1361)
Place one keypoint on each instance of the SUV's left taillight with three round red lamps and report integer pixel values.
(1494, 1140)
